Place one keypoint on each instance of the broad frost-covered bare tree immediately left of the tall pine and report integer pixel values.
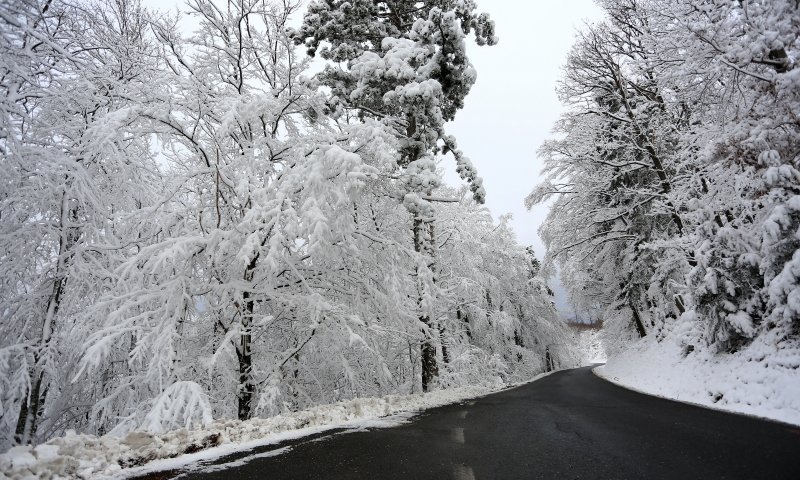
(259, 197)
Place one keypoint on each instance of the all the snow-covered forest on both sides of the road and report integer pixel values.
(239, 212)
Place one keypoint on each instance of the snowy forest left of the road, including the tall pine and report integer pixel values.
(196, 226)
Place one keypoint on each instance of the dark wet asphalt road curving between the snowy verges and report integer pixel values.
(568, 425)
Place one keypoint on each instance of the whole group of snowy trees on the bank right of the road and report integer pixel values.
(675, 168)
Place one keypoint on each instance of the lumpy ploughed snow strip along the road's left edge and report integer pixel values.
(89, 456)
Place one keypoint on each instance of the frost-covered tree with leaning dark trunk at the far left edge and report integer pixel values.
(72, 168)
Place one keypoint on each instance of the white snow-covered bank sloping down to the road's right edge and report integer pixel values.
(762, 379)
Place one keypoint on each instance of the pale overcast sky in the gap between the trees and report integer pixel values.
(512, 107)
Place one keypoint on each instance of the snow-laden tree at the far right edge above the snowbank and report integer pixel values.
(745, 131)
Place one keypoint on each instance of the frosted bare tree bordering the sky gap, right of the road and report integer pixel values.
(616, 174)
